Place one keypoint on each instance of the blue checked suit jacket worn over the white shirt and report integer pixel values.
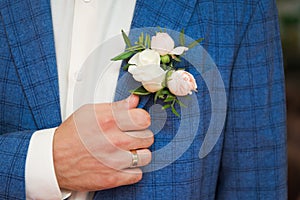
(242, 37)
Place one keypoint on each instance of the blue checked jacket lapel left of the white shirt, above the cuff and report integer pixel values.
(30, 35)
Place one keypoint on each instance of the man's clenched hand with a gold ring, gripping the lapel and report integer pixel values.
(91, 149)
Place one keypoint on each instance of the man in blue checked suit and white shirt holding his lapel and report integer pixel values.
(248, 160)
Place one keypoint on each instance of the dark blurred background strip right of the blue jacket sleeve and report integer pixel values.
(289, 15)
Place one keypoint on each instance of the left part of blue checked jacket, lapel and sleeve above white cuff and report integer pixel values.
(29, 98)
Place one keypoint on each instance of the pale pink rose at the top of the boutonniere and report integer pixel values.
(164, 44)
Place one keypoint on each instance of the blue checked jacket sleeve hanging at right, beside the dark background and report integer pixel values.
(253, 162)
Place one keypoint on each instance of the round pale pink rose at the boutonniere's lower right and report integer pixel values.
(181, 83)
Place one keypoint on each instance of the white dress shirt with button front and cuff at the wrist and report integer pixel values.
(87, 36)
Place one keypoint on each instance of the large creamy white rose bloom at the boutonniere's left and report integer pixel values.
(145, 68)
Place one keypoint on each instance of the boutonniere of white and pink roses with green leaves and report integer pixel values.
(152, 62)
